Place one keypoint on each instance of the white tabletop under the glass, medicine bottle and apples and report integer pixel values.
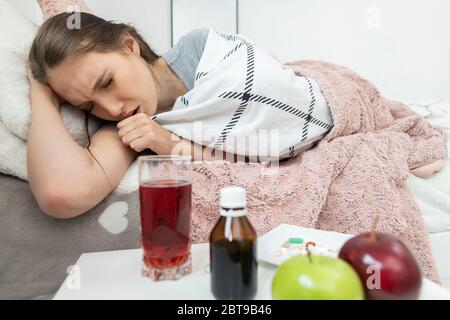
(116, 275)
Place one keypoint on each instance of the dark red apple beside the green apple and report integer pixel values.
(387, 268)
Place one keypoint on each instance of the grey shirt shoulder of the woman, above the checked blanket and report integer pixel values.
(184, 57)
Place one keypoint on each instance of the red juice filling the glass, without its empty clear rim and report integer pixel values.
(165, 222)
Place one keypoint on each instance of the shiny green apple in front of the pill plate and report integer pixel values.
(316, 278)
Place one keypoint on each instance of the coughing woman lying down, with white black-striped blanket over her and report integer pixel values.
(212, 96)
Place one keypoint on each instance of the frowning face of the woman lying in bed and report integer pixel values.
(115, 85)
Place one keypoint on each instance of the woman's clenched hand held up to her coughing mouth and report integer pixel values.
(140, 133)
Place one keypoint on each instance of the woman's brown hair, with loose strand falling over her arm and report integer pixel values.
(57, 39)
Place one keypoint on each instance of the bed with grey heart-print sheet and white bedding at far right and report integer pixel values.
(37, 250)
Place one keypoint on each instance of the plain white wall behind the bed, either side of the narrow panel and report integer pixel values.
(403, 46)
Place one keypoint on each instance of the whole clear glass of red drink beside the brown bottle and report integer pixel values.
(165, 195)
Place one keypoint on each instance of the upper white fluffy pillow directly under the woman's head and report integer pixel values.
(16, 35)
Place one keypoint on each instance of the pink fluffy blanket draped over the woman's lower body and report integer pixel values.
(356, 172)
